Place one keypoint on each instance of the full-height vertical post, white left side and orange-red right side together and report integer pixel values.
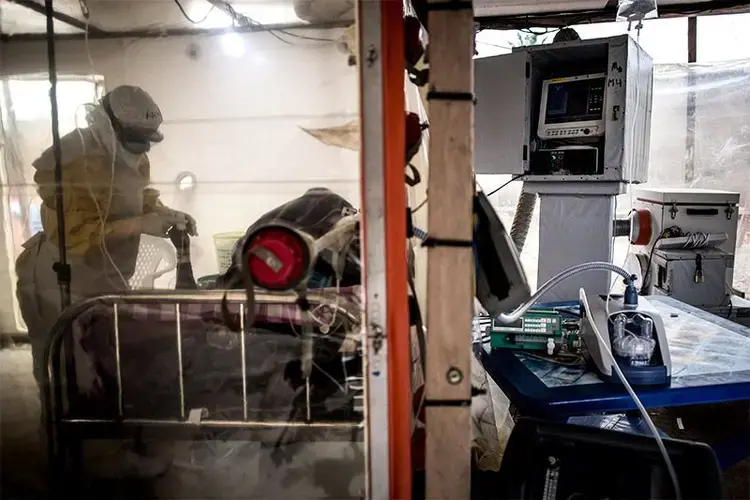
(387, 348)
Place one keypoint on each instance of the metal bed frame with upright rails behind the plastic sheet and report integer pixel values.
(65, 433)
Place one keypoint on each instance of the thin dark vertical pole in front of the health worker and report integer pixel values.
(61, 268)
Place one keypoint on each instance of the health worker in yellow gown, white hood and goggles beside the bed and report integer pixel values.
(108, 206)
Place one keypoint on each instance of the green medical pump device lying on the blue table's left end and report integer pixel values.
(531, 332)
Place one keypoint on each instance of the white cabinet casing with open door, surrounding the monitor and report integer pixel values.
(509, 87)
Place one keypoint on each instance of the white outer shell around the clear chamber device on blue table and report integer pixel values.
(598, 313)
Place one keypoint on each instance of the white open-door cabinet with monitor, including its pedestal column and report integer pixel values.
(574, 119)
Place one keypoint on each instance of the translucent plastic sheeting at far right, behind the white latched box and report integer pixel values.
(700, 137)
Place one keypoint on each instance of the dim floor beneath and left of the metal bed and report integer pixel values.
(192, 469)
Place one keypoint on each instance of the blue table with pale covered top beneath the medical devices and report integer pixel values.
(710, 364)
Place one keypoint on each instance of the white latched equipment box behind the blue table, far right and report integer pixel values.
(692, 210)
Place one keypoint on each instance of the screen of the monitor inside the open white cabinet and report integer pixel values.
(573, 101)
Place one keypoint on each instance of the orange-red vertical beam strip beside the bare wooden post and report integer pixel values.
(399, 353)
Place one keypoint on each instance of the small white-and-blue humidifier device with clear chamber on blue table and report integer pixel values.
(636, 338)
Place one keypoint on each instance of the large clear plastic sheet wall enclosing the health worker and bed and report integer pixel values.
(162, 397)
